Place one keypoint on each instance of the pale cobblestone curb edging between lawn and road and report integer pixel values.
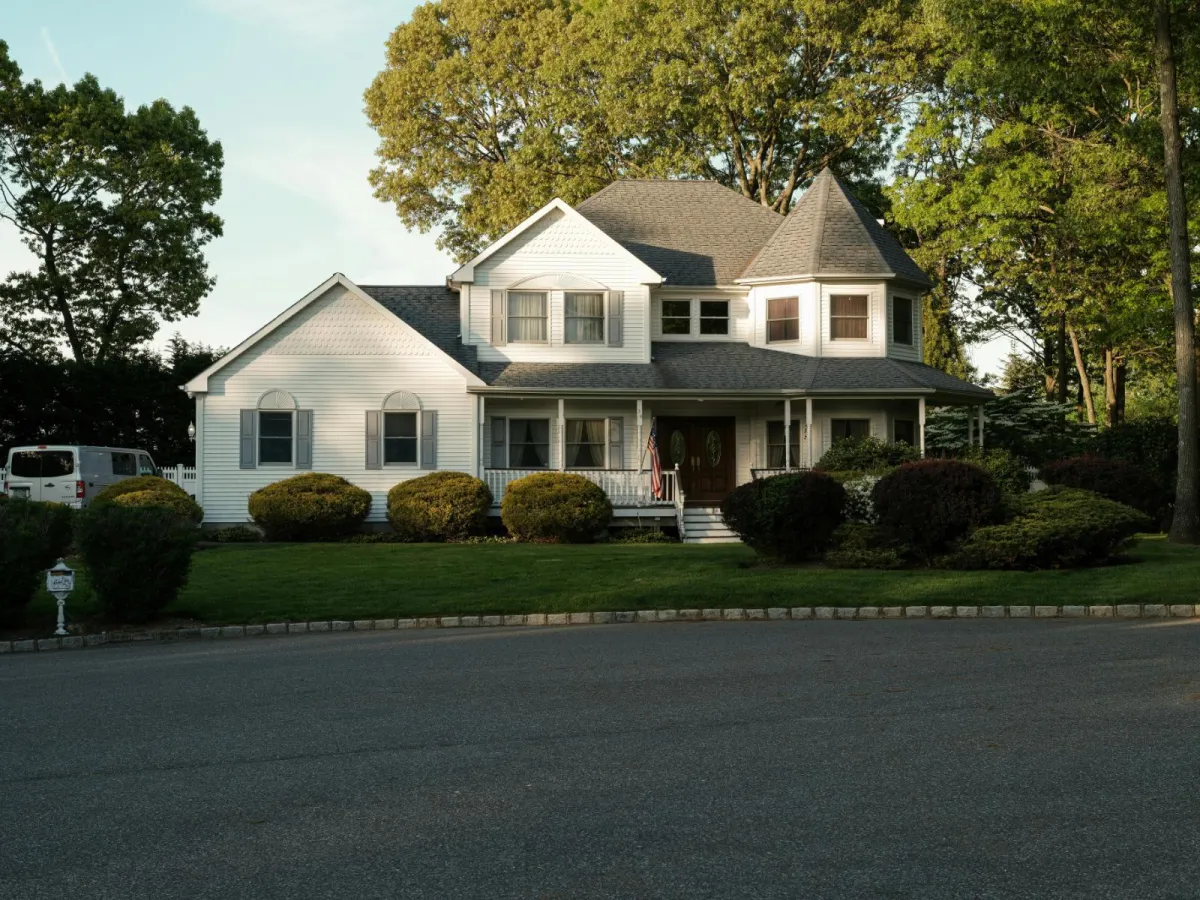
(1121, 611)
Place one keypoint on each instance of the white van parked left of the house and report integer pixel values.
(71, 475)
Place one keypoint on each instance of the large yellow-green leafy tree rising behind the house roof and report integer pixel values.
(488, 109)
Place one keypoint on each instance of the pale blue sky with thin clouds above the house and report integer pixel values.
(280, 85)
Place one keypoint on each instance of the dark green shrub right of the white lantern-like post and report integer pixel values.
(137, 557)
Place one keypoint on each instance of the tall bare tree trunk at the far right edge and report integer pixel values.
(1186, 524)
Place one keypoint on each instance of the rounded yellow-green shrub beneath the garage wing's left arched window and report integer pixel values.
(314, 507)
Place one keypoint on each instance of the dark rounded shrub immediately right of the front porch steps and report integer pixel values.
(788, 518)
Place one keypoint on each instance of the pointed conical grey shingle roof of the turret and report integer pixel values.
(831, 233)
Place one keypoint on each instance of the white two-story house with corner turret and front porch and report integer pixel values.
(751, 341)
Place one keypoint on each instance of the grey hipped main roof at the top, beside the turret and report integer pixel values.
(689, 232)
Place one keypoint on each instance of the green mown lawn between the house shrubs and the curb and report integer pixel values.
(249, 584)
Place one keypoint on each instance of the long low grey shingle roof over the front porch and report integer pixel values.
(719, 367)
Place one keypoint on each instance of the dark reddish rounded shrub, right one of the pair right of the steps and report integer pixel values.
(931, 505)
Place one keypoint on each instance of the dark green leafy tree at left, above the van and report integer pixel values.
(117, 208)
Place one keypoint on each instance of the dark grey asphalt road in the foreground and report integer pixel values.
(722, 760)
